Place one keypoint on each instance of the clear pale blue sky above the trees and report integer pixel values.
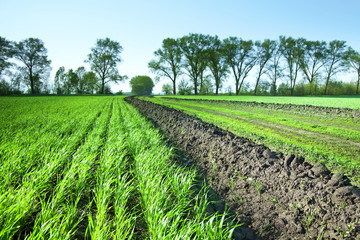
(70, 28)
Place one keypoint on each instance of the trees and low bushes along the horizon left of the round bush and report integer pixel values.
(26, 63)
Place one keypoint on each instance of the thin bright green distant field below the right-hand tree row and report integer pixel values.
(352, 102)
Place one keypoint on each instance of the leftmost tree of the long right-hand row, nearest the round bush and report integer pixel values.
(168, 63)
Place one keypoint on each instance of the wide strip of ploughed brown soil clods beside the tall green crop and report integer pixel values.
(279, 197)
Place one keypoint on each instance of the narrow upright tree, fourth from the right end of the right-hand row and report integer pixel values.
(292, 53)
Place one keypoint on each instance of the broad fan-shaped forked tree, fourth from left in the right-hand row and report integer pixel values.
(240, 57)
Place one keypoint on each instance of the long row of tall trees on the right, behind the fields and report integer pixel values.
(208, 61)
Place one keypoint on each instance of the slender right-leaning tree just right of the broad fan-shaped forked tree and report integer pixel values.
(264, 51)
